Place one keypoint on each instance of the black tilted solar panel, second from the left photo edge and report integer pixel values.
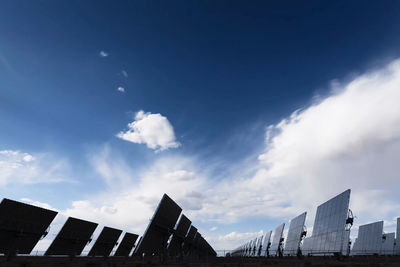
(72, 238)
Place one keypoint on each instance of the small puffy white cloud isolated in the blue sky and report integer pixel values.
(154, 130)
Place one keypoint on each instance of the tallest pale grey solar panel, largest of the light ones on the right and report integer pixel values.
(329, 226)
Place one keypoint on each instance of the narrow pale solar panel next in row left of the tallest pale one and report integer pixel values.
(296, 229)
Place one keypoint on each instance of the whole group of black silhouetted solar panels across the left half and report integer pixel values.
(23, 225)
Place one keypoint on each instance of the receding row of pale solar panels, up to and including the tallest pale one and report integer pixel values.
(331, 234)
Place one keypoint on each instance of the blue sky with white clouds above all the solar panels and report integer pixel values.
(246, 113)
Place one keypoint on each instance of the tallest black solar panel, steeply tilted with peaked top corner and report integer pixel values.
(161, 226)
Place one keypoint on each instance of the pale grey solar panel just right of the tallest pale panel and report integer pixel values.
(369, 239)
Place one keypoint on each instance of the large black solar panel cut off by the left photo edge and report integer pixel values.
(22, 226)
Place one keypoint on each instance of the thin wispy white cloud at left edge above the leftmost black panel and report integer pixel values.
(23, 168)
